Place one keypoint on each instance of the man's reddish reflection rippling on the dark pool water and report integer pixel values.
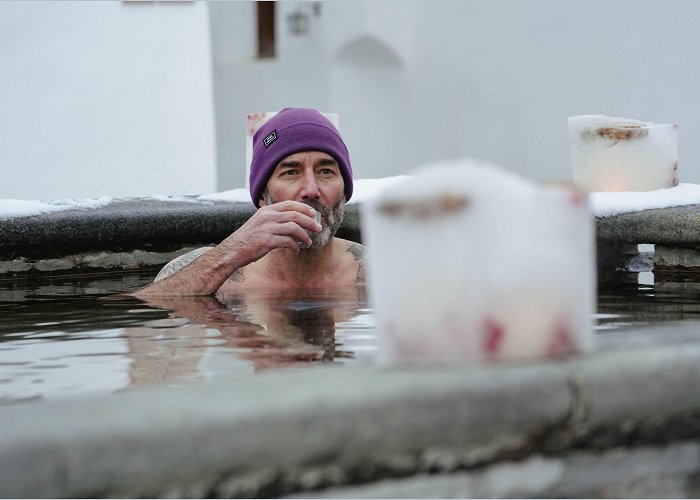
(268, 328)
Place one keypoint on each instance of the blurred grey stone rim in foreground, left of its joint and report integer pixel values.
(144, 443)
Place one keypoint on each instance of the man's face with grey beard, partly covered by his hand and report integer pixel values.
(313, 178)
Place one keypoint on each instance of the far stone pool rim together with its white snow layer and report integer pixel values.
(129, 233)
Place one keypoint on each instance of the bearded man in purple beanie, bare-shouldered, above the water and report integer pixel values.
(300, 180)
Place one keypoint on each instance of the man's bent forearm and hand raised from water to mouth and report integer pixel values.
(281, 225)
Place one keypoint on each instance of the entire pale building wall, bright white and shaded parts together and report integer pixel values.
(115, 98)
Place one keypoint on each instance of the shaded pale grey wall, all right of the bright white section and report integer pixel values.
(418, 81)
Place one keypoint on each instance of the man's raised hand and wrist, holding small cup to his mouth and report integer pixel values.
(280, 225)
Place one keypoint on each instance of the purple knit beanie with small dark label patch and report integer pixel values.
(290, 131)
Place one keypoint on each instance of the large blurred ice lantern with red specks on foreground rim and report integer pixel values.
(468, 262)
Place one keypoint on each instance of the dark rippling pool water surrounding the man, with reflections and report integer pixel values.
(68, 336)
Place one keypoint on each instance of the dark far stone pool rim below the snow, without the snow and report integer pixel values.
(135, 233)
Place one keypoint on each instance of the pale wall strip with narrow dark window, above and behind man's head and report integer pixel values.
(297, 77)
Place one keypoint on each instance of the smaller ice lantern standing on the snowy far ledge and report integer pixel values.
(617, 154)
